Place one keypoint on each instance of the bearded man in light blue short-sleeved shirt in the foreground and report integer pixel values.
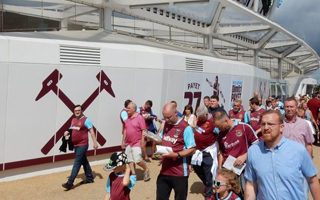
(277, 166)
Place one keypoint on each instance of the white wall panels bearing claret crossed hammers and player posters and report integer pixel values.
(37, 101)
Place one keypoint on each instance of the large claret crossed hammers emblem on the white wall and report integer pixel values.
(50, 84)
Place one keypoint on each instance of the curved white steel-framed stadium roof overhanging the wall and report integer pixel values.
(218, 20)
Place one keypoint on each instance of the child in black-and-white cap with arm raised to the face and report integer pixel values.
(120, 181)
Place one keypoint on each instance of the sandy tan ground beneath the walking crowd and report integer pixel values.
(49, 186)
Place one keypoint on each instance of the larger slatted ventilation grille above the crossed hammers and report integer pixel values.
(79, 55)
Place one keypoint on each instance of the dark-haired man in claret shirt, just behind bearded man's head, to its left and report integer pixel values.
(254, 115)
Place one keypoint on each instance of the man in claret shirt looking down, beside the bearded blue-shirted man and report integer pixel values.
(234, 140)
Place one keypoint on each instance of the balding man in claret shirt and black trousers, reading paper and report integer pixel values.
(174, 172)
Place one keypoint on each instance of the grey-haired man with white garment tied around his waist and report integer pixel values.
(204, 160)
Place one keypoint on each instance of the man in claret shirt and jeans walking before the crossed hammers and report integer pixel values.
(80, 126)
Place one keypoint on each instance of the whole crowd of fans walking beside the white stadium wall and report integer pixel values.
(269, 147)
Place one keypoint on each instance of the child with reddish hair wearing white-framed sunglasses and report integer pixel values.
(226, 185)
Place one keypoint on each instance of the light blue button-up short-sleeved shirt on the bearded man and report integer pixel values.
(279, 173)
